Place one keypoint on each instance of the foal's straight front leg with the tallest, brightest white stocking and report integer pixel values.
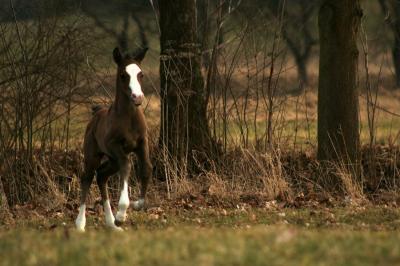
(123, 204)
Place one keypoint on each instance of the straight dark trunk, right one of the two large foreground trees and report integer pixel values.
(338, 118)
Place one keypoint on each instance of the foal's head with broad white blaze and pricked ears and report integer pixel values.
(129, 75)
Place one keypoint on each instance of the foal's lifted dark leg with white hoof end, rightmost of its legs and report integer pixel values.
(145, 172)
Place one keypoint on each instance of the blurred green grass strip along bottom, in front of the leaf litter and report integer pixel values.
(260, 245)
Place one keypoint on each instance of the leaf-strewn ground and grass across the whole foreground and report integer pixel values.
(195, 235)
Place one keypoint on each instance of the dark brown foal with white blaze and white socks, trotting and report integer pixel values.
(111, 136)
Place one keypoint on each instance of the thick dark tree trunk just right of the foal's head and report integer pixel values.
(184, 125)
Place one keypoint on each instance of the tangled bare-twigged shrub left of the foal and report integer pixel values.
(42, 81)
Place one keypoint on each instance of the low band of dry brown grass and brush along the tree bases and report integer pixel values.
(241, 175)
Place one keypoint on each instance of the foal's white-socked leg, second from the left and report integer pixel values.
(103, 173)
